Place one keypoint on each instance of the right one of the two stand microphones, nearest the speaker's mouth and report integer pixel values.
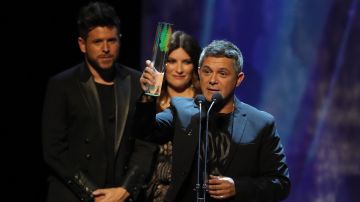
(215, 99)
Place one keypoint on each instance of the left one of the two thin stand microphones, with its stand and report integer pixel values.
(200, 193)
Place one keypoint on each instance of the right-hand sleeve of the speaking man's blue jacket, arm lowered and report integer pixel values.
(272, 183)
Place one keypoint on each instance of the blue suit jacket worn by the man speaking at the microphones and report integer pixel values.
(256, 162)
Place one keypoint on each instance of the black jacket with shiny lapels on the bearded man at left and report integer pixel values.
(73, 135)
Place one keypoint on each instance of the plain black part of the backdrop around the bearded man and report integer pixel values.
(40, 41)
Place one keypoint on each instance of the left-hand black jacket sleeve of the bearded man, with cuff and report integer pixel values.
(56, 145)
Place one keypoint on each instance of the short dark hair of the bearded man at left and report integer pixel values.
(96, 14)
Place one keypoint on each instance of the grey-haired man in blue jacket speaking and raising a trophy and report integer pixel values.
(245, 160)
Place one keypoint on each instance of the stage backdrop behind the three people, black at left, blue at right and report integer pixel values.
(301, 64)
